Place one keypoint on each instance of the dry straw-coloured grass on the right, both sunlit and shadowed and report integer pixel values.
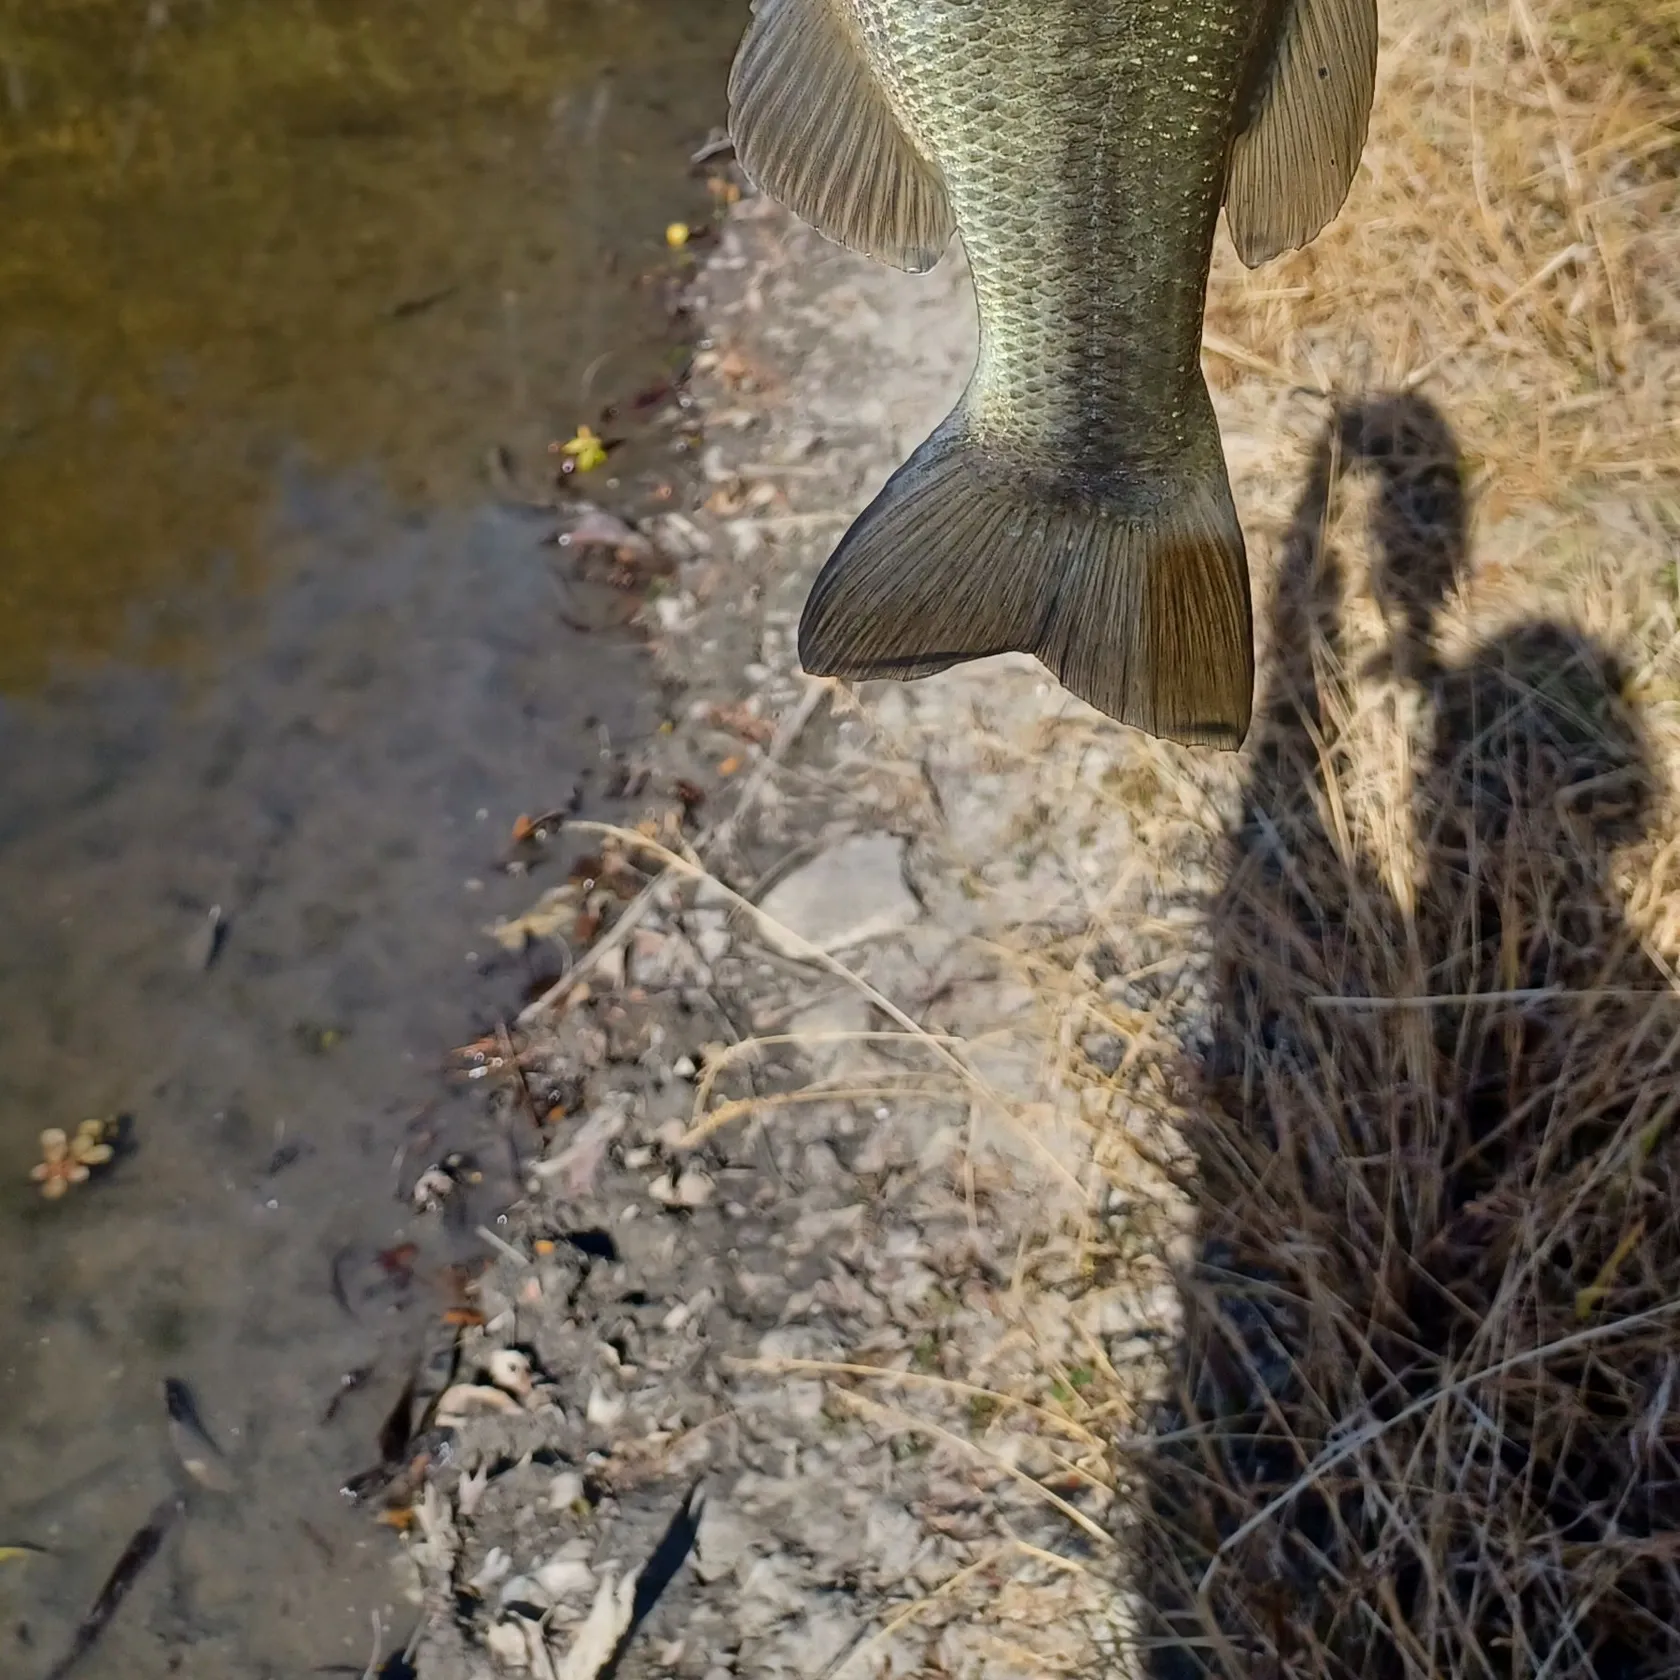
(1425, 1414)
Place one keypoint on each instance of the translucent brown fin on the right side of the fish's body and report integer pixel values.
(1294, 162)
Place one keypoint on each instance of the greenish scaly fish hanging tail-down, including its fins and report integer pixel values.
(1076, 503)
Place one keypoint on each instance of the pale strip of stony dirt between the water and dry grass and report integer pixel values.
(814, 1133)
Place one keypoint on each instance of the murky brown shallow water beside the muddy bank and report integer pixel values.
(275, 280)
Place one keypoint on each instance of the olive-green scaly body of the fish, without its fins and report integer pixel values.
(1084, 150)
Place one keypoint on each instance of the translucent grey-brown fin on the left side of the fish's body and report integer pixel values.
(816, 130)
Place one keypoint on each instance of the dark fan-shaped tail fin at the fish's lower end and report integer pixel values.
(1135, 596)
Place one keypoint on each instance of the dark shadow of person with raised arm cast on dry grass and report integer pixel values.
(1425, 1419)
